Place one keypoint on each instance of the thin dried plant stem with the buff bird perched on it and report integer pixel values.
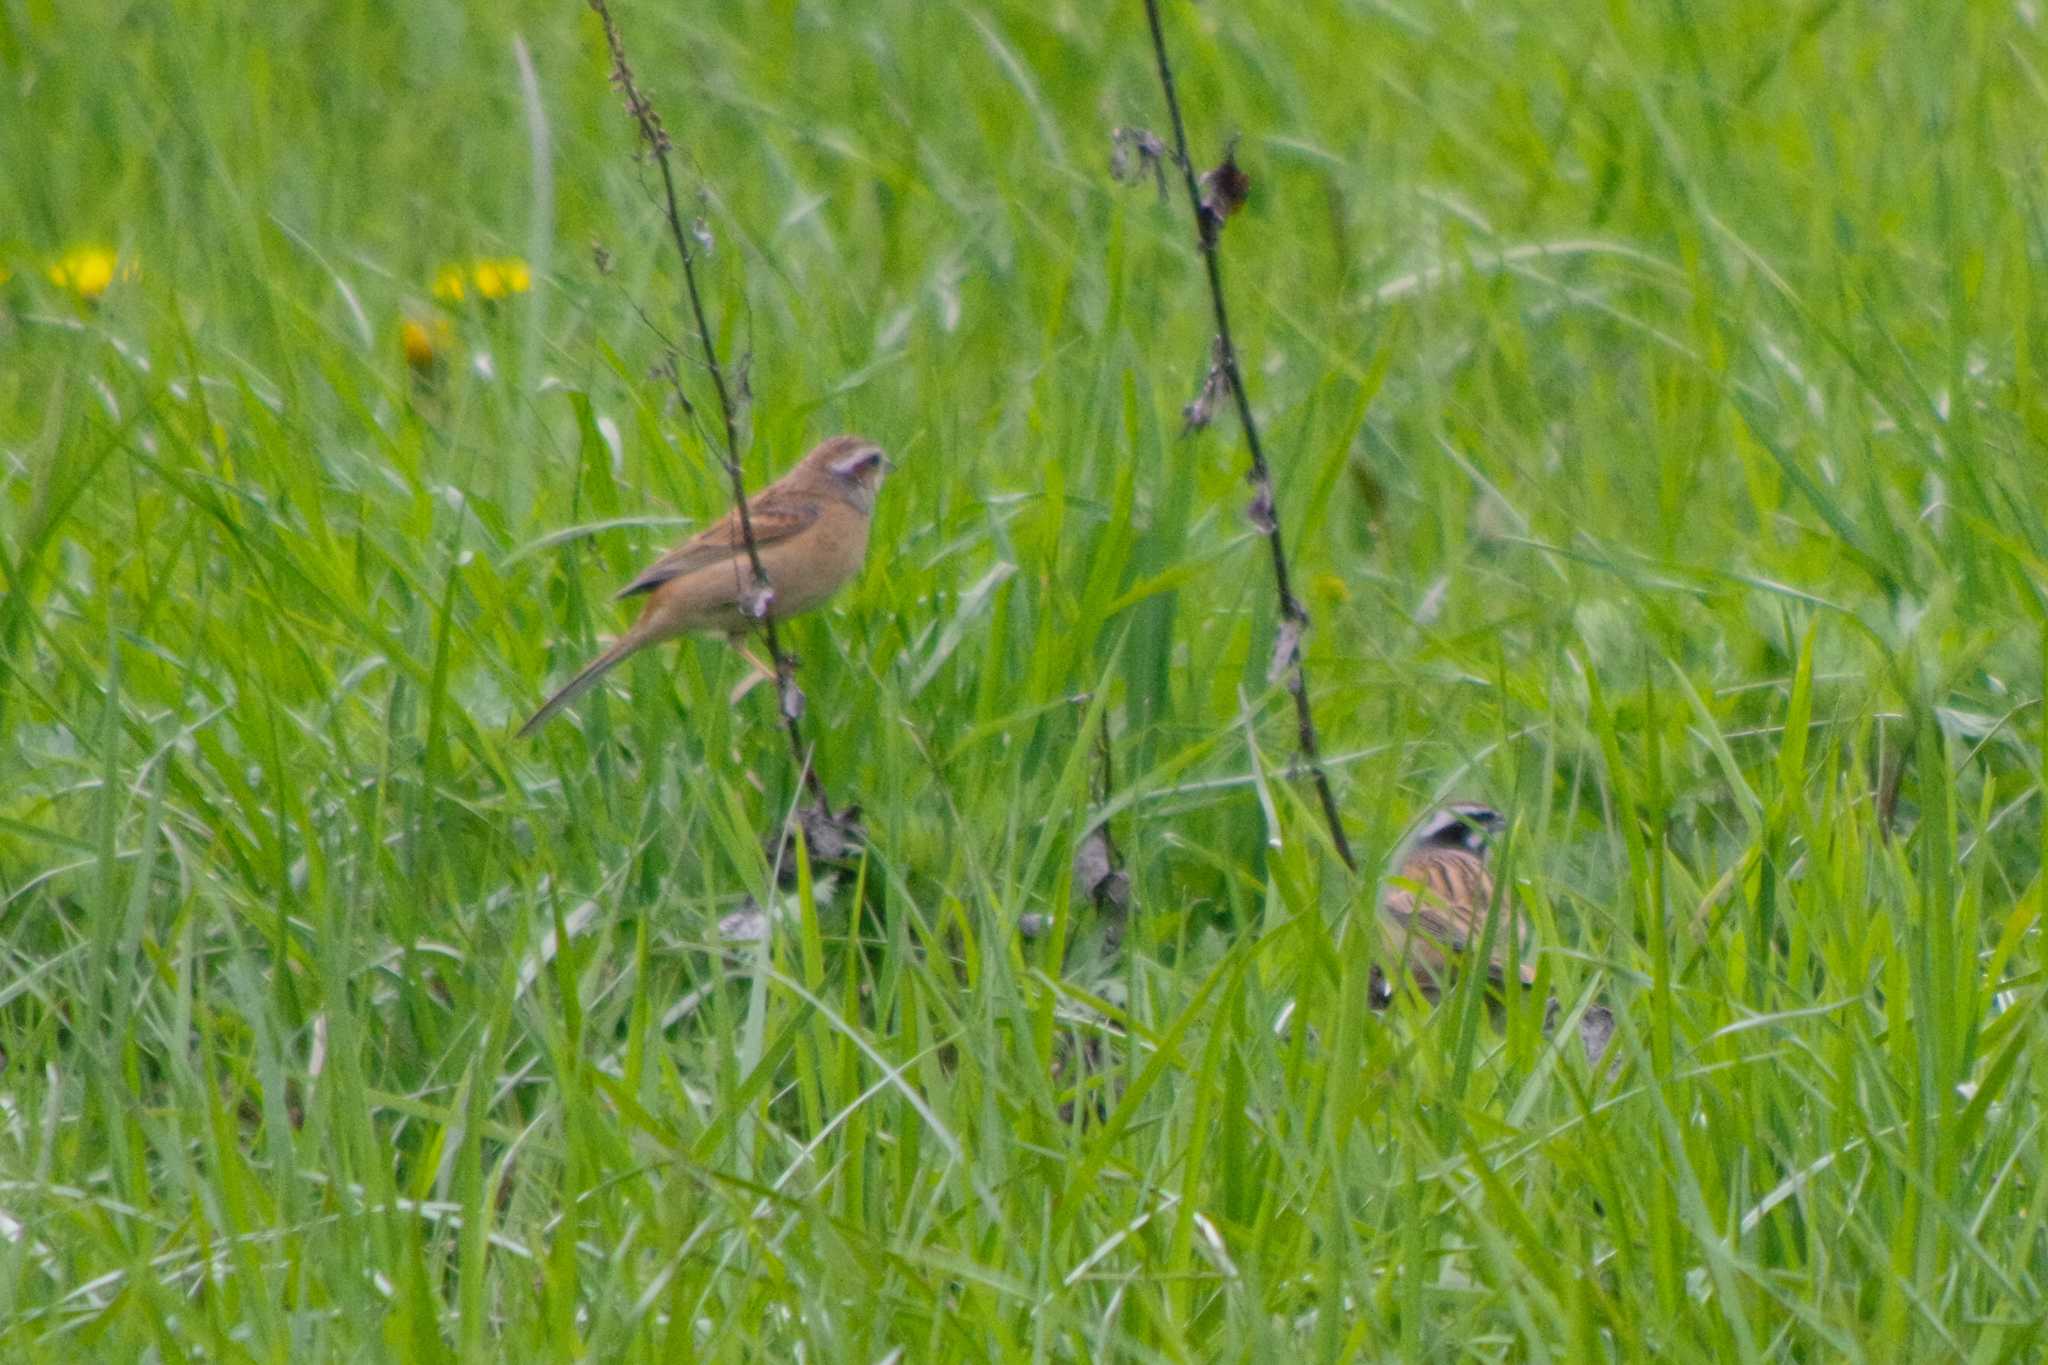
(656, 138)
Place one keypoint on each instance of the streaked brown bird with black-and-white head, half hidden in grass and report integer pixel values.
(1441, 897)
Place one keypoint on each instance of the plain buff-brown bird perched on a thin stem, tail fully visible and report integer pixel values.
(812, 533)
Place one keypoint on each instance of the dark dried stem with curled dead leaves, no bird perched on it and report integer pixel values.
(1293, 617)
